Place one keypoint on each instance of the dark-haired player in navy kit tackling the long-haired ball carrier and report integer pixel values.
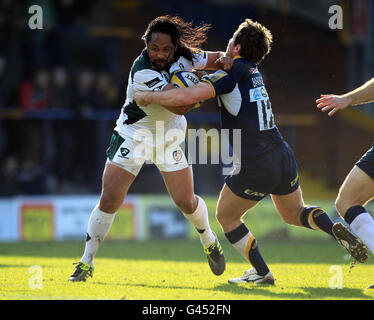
(267, 162)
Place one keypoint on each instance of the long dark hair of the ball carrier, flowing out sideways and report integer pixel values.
(183, 34)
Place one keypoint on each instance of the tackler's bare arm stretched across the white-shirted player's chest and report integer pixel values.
(176, 97)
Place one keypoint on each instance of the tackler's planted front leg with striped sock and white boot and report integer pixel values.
(229, 213)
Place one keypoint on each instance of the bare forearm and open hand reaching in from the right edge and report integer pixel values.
(334, 103)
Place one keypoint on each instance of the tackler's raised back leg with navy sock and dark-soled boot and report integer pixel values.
(293, 211)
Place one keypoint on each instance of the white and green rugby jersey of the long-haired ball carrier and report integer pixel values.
(145, 78)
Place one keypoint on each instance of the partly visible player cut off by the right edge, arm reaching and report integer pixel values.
(358, 187)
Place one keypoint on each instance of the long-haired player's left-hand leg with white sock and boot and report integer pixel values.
(115, 184)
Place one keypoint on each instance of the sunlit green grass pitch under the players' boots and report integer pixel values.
(177, 270)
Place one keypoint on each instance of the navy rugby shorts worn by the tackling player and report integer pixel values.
(274, 172)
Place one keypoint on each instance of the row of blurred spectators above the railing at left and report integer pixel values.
(57, 89)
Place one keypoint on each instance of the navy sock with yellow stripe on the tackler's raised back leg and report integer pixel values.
(317, 219)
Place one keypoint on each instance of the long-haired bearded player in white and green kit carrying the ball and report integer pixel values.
(171, 44)
